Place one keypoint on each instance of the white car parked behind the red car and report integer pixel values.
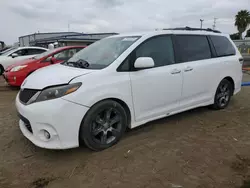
(12, 55)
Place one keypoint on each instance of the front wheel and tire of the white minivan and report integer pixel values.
(103, 126)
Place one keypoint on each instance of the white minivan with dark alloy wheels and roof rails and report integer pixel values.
(124, 81)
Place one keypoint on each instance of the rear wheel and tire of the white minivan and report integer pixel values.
(223, 95)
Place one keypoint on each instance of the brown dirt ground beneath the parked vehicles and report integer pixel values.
(200, 148)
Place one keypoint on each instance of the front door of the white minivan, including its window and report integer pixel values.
(156, 91)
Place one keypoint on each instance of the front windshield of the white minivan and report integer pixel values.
(102, 53)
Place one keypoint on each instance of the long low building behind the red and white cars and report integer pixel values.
(62, 38)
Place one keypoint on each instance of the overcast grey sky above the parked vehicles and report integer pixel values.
(22, 17)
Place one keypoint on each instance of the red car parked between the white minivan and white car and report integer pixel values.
(15, 74)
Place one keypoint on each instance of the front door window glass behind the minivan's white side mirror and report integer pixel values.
(159, 48)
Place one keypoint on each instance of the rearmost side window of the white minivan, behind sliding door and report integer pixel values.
(223, 46)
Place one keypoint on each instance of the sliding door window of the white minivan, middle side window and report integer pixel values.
(192, 47)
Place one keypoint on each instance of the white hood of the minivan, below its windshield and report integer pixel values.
(53, 75)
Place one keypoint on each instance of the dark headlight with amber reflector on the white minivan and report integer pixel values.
(57, 92)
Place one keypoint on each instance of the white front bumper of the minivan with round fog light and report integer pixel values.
(60, 118)
